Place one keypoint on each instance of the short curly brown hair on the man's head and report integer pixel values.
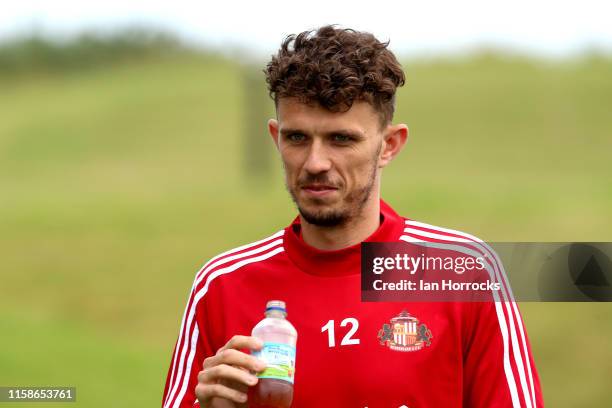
(334, 67)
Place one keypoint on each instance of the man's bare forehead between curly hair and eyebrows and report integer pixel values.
(314, 118)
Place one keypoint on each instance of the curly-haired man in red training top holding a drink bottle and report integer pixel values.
(334, 91)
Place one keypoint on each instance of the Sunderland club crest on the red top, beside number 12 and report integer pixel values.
(404, 333)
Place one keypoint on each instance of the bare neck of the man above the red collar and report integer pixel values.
(353, 232)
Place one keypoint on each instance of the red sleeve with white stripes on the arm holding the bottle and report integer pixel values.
(190, 350)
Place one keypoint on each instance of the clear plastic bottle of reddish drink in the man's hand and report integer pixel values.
(275, 386)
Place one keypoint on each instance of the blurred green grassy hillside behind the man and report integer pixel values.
(123, 168)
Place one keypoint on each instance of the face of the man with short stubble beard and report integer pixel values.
(332, 160)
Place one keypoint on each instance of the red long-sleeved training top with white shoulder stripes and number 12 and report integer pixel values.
(473, 355)
